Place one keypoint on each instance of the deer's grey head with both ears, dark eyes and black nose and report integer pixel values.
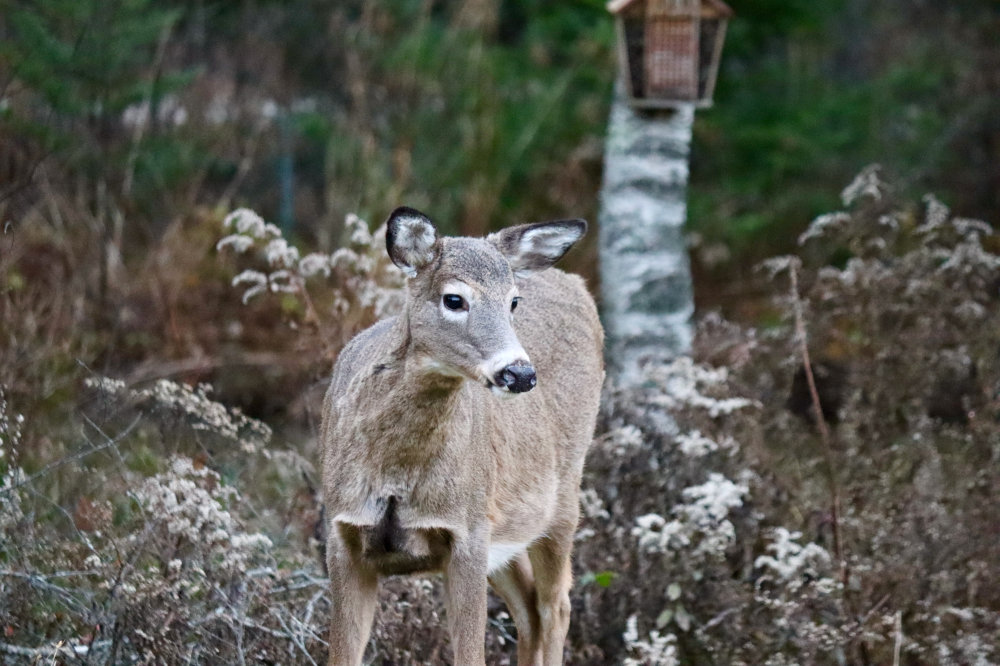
(462, 294)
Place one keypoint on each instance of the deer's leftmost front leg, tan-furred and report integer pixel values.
(353, 593)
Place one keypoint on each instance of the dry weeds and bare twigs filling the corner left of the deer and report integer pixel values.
(168, 566)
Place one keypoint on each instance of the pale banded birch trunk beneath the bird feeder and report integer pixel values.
(646, 294)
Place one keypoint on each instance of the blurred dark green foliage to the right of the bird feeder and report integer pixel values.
(808, 92)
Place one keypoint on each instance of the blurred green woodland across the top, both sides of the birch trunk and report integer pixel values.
(490, 117)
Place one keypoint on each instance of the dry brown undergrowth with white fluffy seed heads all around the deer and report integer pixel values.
(816, 491)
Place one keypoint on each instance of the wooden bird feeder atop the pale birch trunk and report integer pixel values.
(669, 50)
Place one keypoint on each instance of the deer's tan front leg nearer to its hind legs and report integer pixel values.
(465, 588)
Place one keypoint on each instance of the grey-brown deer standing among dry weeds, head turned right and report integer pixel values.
(453, 436)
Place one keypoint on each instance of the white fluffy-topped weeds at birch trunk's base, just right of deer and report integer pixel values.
(671, 513)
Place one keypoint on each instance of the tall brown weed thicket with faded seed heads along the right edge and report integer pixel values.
(900, 303)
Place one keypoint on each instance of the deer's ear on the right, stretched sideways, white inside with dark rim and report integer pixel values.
(534, 247)
